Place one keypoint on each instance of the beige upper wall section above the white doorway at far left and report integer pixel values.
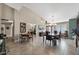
(7, 12)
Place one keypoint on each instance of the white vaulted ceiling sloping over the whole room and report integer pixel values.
(52, 12)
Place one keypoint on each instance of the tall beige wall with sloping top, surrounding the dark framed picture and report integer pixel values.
(27, 16)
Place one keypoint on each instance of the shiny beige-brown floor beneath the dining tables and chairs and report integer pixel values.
(64, 47)
